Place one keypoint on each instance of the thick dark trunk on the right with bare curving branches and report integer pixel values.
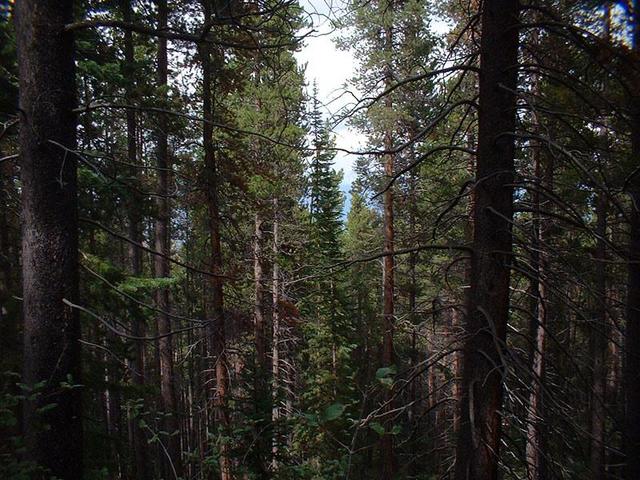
(478, 443)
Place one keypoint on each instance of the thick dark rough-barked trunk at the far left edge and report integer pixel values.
(49, 235)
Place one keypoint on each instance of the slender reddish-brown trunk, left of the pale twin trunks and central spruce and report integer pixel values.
(218, 341)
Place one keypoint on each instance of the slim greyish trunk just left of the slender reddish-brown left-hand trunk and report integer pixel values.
(173, 464)
